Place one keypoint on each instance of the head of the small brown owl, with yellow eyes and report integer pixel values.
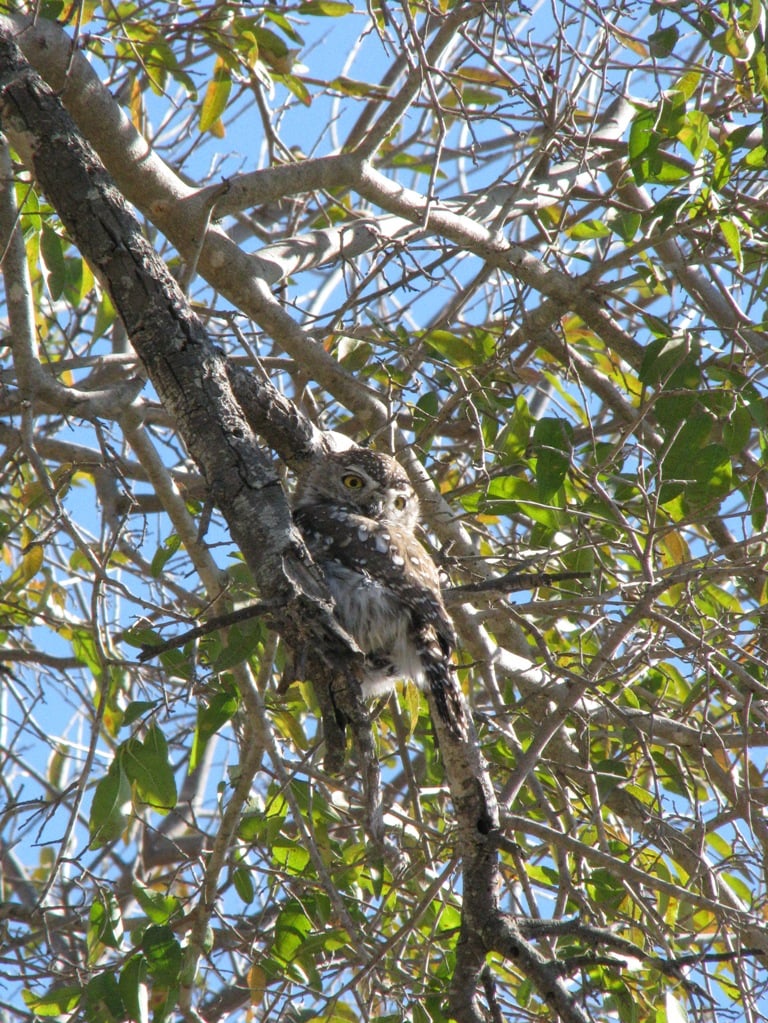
(364, 481)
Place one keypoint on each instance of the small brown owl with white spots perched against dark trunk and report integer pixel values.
(358, 514)
